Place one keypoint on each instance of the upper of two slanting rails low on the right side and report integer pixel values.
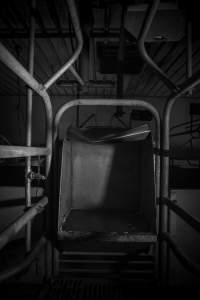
(184, 215)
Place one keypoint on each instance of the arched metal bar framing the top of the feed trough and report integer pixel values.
(117, 102)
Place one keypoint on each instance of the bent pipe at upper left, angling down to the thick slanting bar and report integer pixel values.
(77, 29)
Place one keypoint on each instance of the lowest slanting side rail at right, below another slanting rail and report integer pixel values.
(185, 261)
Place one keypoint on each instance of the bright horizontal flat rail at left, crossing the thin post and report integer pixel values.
(19, 151)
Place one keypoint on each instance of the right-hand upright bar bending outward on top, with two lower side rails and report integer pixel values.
(189, 84)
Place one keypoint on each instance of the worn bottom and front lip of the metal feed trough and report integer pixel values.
(106, 227)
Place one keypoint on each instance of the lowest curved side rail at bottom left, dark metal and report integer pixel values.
(25, 263)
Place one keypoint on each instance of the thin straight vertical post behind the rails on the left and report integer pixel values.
(29, 125)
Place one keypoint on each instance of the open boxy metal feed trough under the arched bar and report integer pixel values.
(107, 190)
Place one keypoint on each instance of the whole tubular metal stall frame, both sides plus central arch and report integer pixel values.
(17, 151)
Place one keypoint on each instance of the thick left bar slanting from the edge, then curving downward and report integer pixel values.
(12, 63)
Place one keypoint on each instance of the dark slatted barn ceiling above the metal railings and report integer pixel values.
(55, 42)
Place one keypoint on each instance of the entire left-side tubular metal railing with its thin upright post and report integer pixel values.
(28, 151)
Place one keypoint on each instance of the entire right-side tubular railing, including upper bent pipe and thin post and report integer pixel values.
(165, 204)
